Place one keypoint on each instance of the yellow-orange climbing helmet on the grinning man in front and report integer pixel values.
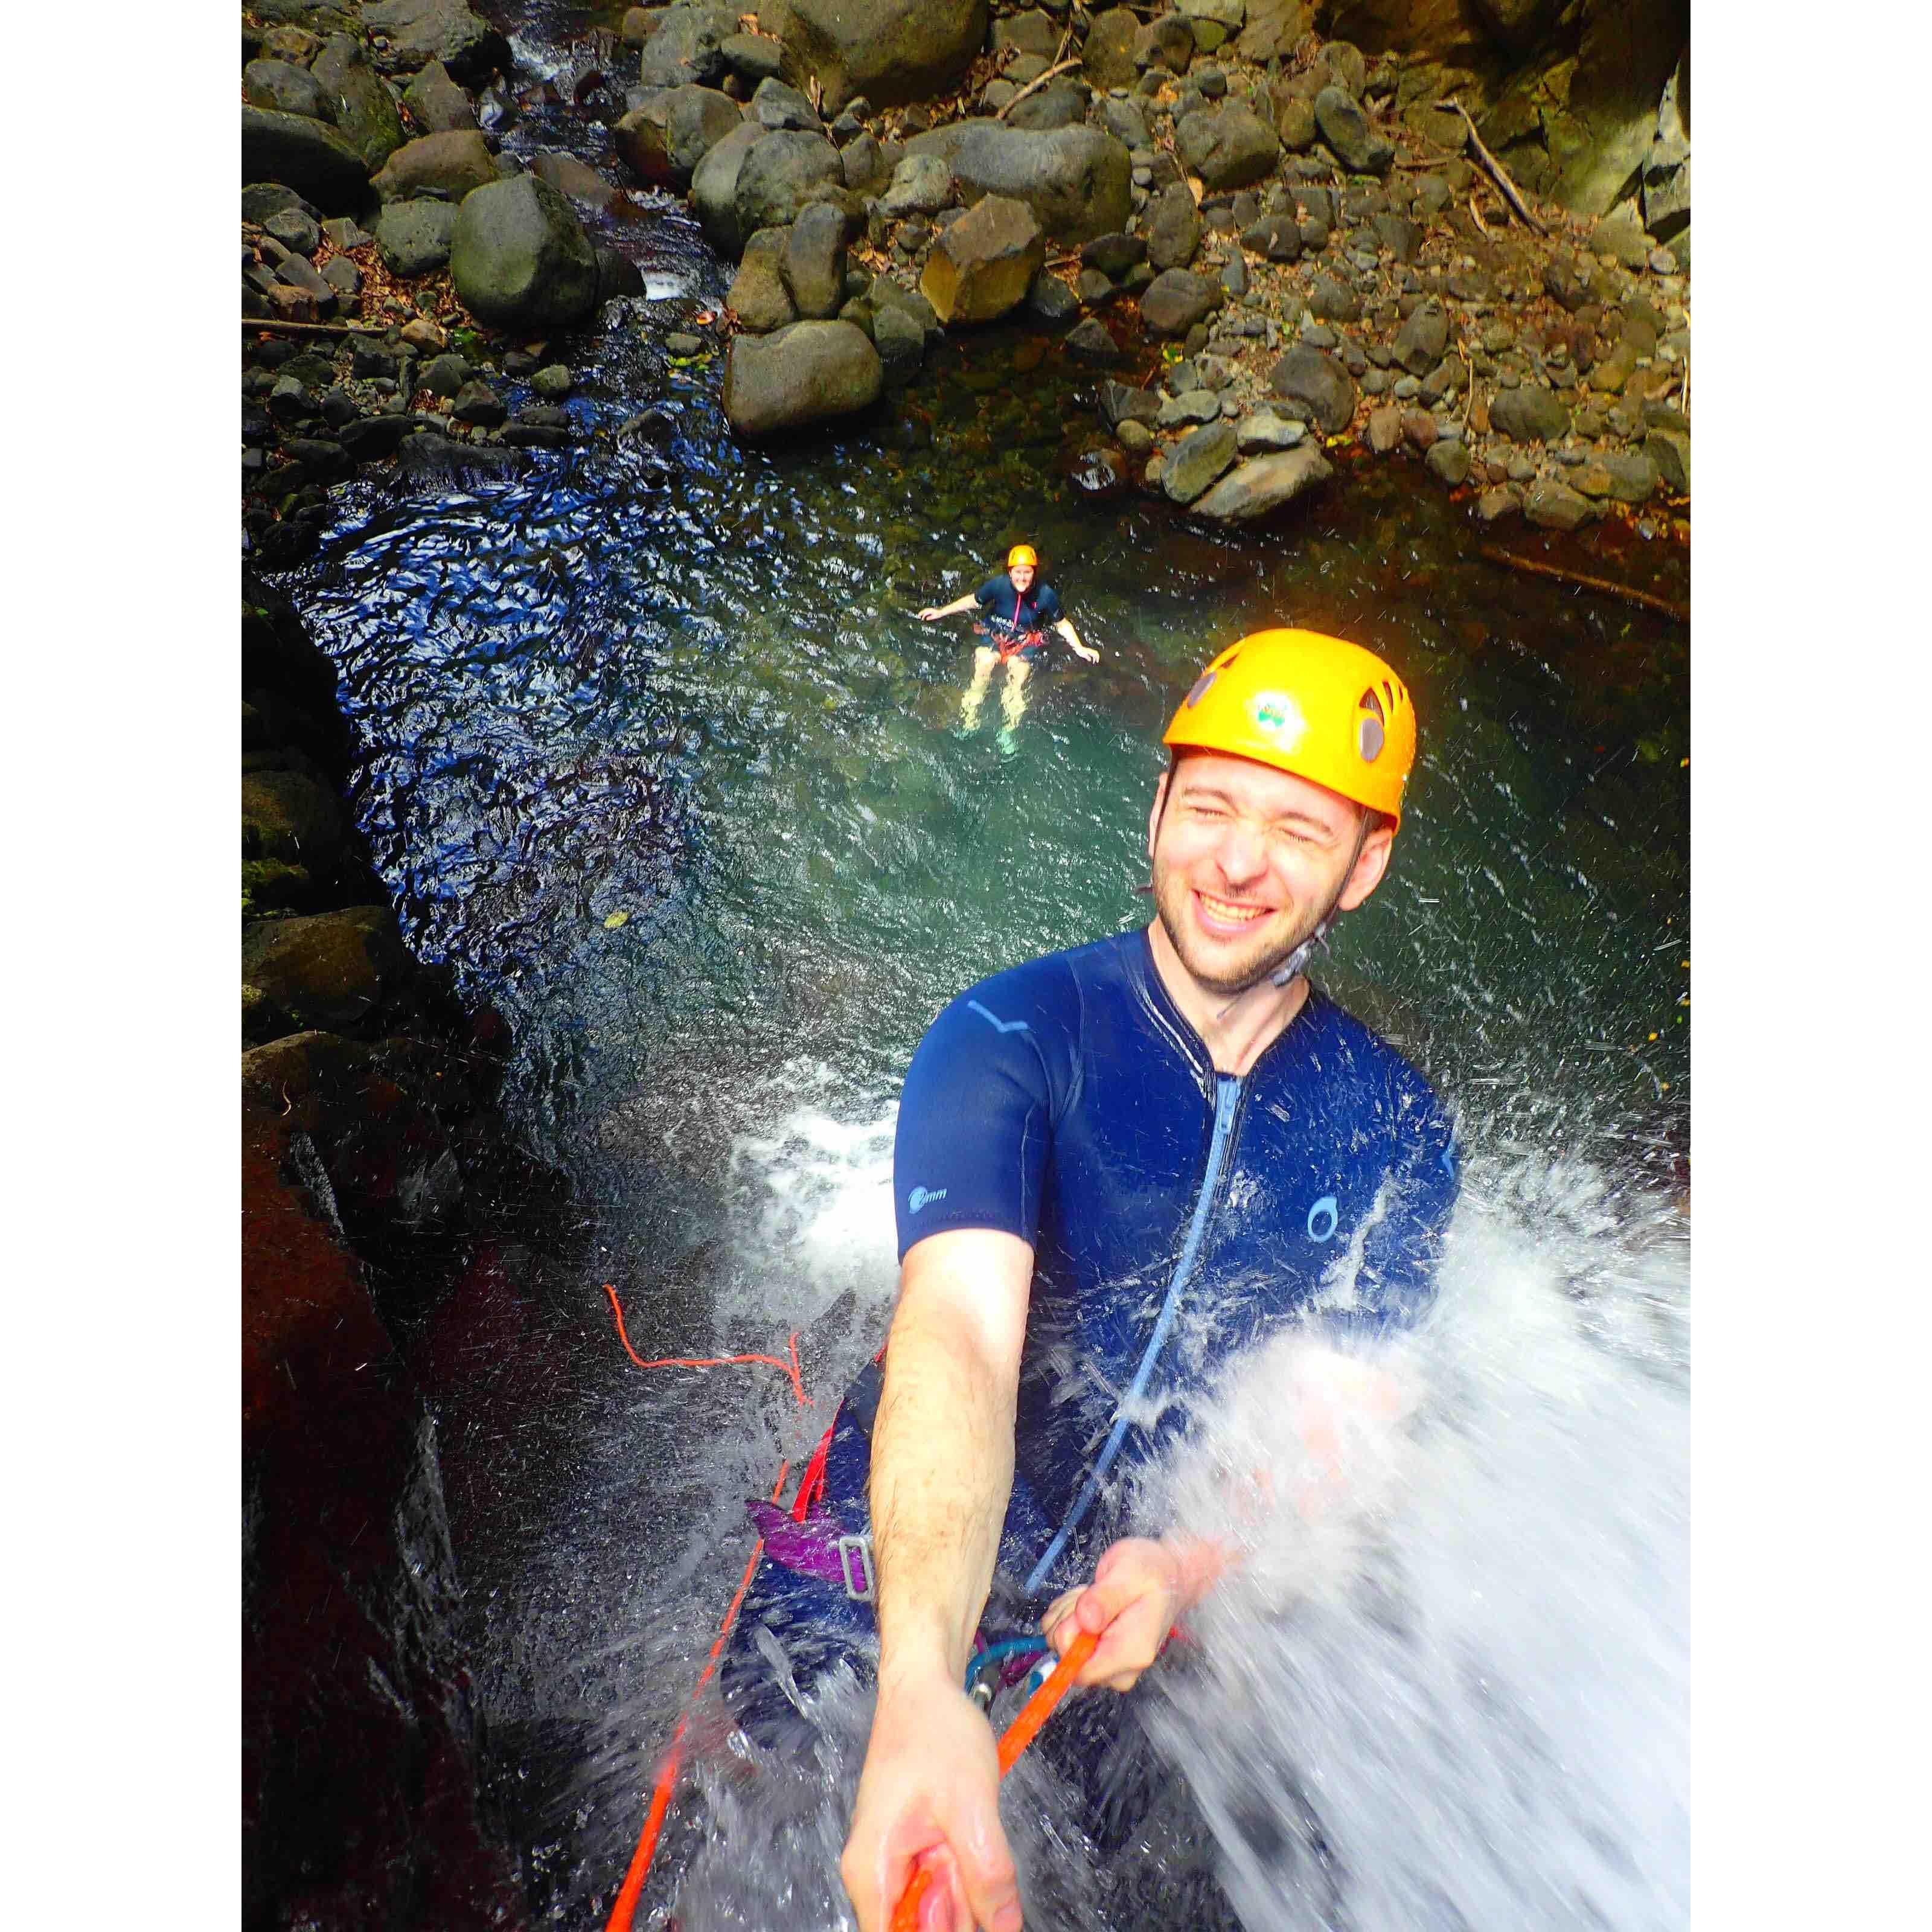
(1315, 706)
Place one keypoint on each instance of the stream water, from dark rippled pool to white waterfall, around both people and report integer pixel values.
(658, 756)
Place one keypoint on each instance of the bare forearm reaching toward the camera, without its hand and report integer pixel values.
(942, 1473)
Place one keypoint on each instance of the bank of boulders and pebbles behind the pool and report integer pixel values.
(1268, 246)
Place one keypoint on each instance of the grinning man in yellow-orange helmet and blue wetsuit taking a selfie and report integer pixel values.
(1116, 1170)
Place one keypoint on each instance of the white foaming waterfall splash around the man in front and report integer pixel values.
(1446, 1690)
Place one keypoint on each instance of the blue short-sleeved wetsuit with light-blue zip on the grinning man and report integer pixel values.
(1178, 1216)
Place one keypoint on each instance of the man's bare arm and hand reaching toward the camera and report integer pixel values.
(942, 1473)
